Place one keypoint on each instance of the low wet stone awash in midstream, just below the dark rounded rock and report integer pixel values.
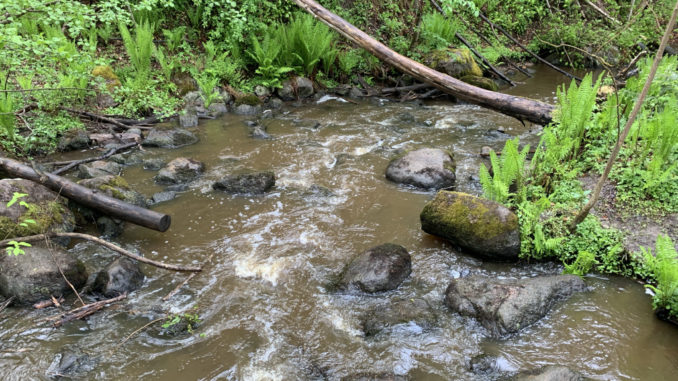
(401, 311)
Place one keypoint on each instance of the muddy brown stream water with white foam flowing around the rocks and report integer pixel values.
(265, 311)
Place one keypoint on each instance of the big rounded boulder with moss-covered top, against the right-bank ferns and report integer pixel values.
(481, 227)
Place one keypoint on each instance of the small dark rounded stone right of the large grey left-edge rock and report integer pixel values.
(123, 275)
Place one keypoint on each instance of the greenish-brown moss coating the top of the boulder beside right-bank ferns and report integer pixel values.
(453, 214)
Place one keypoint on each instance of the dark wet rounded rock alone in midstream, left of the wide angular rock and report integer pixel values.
(381, 268)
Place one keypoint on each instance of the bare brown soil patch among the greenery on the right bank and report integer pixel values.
(640, 230)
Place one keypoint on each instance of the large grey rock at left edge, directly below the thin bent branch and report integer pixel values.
(34, 276)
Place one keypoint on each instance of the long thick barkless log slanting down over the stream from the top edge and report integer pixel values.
(518, 107)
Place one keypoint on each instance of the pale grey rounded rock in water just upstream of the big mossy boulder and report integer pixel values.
(426, 168)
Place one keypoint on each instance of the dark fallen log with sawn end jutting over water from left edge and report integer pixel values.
(89, 198)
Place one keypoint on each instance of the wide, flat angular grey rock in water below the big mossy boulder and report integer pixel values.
(509, 305)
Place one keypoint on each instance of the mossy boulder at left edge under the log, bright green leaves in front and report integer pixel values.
(48, 211)
